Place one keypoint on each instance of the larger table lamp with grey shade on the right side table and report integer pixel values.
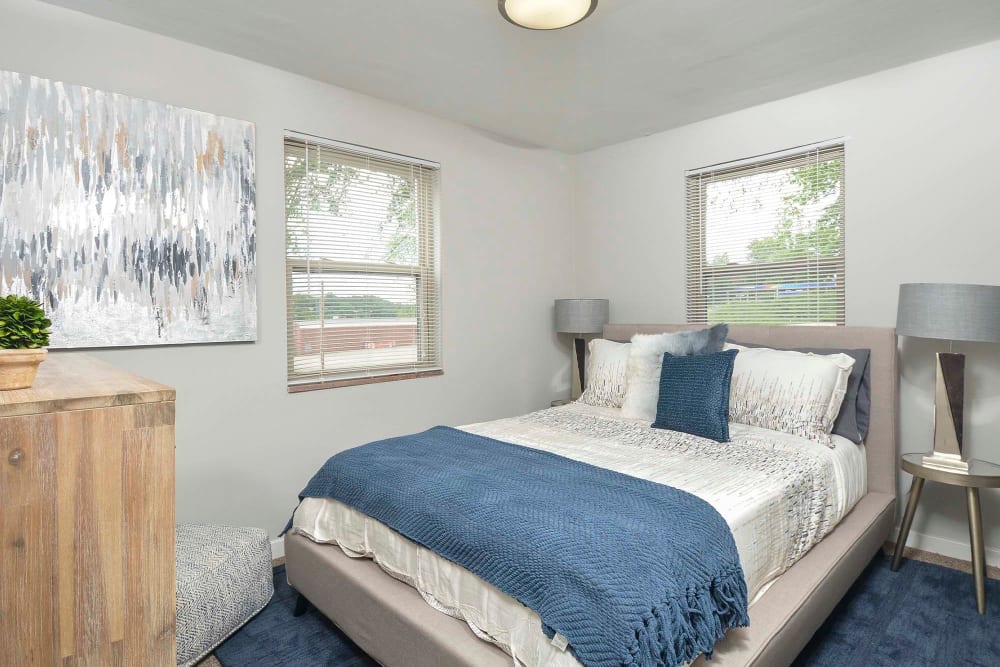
(949, 312)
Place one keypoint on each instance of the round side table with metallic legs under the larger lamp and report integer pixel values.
(981, 475)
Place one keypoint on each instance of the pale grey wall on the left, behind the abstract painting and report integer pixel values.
(244, 446)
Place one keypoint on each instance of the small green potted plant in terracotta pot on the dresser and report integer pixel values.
(24, 333)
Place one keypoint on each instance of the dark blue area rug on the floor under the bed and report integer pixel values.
(922, 615)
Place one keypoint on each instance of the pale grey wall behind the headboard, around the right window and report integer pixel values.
(922, 182)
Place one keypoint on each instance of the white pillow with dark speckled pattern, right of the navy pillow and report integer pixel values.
(793, 392)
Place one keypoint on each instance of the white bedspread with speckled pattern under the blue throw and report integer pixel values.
(779, 493)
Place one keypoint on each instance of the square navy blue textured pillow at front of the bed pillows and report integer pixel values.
(694, 394)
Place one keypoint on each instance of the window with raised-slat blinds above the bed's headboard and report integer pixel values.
(765, 239)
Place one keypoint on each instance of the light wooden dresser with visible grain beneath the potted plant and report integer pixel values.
(87, 518)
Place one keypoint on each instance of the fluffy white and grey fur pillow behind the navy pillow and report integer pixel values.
(645, 360)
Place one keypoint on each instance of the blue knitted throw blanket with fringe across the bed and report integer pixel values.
(630, 572)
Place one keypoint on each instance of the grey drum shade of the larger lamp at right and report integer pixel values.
(949, 312)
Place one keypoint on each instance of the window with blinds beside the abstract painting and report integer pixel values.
(363, 290)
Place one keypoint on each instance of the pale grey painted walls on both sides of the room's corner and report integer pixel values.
(921, 178)
